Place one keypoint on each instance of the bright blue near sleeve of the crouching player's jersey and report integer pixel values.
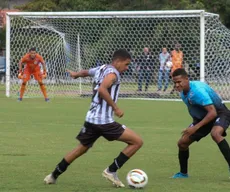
(201, 97)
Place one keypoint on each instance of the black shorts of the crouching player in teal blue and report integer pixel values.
(223, 121)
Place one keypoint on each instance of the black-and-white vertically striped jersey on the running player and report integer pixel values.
(100, 112)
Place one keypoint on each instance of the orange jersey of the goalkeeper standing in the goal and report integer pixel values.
(32, 64)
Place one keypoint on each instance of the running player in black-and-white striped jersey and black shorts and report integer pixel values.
(99, 119)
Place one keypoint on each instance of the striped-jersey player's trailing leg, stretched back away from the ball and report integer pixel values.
(87, 137)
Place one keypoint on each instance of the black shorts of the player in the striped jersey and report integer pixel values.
(91, 132)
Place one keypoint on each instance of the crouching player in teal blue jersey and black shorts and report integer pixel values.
(209, 115)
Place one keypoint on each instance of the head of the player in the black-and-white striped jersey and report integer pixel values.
(121, 60)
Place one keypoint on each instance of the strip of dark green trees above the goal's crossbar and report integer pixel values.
(221, 7)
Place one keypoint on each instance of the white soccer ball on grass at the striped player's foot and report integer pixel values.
(137, 179)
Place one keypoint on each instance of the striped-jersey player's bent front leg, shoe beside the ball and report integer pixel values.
(120, 133)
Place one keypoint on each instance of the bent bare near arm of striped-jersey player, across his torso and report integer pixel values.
(104, 94)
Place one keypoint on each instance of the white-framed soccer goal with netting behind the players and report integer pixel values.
(81, 40)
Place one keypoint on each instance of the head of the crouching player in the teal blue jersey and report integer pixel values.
(180, 80)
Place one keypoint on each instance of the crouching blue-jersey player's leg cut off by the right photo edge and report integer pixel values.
(218, 133)
